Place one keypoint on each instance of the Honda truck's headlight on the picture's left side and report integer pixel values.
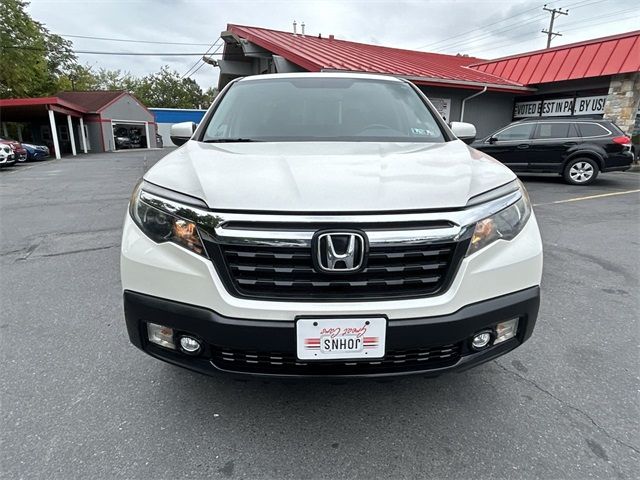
(161, 226)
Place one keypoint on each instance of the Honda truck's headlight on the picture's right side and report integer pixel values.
(504, 225)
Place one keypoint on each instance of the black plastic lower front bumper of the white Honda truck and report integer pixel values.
(427, 345)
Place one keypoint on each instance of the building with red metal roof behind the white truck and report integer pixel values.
(586, 78)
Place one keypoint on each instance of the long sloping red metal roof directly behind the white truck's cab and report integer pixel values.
(317, 54)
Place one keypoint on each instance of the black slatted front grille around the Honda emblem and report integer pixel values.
(288, 272)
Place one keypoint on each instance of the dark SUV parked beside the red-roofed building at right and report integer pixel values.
(577, 149)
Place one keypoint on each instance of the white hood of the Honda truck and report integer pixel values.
(329, 176)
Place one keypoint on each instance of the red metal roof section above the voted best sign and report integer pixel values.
(593, 58)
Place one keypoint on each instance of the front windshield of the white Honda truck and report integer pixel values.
(322, 109)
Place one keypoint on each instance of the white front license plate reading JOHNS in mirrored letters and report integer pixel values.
(341, 338)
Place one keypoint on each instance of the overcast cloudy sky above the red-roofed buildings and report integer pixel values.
(486, 29)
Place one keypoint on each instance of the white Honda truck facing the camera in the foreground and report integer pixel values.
(328, 224)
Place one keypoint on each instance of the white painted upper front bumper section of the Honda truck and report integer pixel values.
(169, 271)
